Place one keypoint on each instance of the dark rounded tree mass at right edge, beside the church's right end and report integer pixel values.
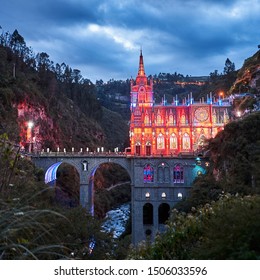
(235, 155)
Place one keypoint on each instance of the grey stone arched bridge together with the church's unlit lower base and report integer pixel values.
(157, 183)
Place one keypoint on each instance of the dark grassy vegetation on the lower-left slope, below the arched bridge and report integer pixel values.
(34, 224)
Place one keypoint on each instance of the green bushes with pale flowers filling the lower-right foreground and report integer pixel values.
(226, 229)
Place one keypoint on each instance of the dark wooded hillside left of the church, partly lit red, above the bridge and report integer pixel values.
(63, 114)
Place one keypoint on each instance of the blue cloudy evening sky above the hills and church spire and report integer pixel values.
(103, 38)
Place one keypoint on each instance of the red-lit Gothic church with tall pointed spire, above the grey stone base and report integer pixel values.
(170, 129)
